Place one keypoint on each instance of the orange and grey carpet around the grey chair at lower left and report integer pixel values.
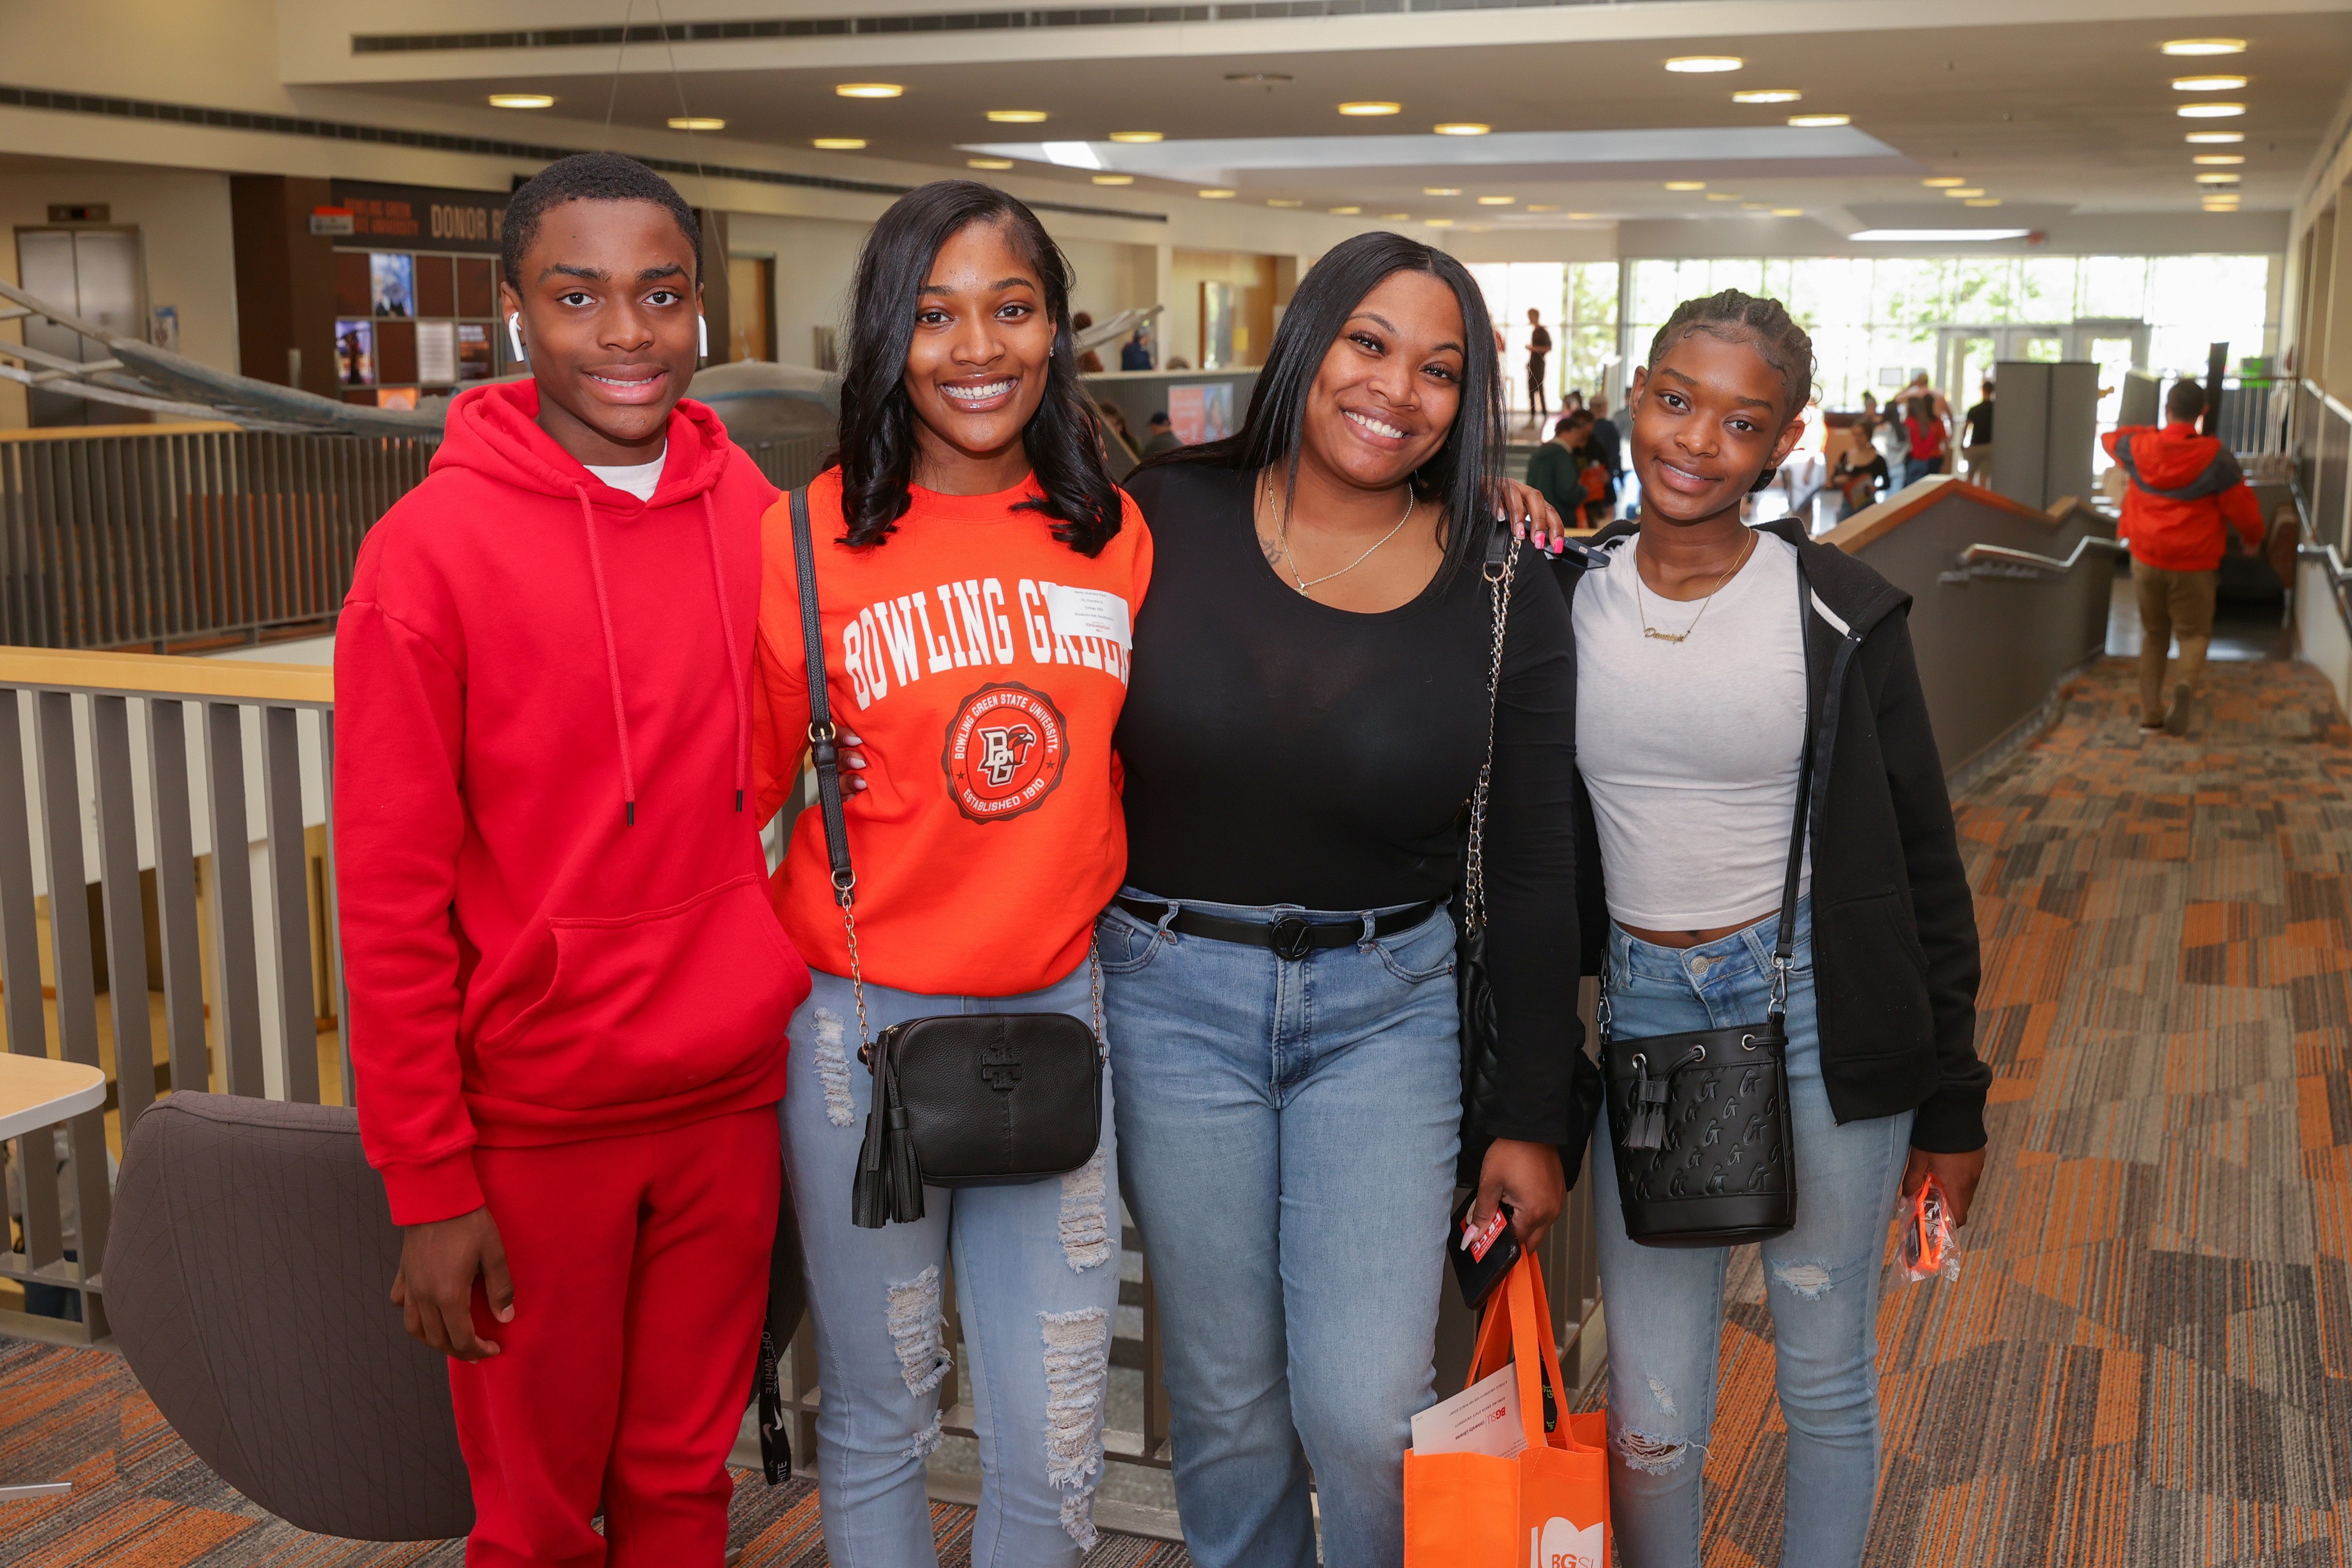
(142, 1501)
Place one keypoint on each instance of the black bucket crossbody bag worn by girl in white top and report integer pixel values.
(1699, 1123)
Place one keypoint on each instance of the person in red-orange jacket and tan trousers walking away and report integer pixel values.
(2184, 497)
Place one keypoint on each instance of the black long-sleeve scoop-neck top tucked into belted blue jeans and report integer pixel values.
(1285, 751)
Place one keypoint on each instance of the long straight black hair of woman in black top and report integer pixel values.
(1466, 474)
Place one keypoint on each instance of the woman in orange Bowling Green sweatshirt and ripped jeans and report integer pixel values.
(987, 833)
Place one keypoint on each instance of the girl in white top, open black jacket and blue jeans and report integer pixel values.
(1709, 655)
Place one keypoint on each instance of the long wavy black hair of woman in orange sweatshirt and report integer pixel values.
(878, 420)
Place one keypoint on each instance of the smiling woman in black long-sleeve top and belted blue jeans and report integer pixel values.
(1307, 725)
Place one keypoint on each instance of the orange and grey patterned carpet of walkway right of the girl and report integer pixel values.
(2149, 1355)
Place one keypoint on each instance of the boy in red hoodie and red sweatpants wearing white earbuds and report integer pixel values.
(568, 989)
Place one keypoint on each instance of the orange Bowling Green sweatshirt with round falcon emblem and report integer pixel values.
(984, 666)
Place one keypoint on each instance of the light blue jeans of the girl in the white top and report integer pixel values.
(1666, 1306)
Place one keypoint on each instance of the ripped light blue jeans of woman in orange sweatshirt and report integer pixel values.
(1036, 1282)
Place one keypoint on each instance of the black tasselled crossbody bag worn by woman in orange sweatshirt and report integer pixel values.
(963, 1099)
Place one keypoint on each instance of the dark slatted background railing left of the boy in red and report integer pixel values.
(189, 532)
